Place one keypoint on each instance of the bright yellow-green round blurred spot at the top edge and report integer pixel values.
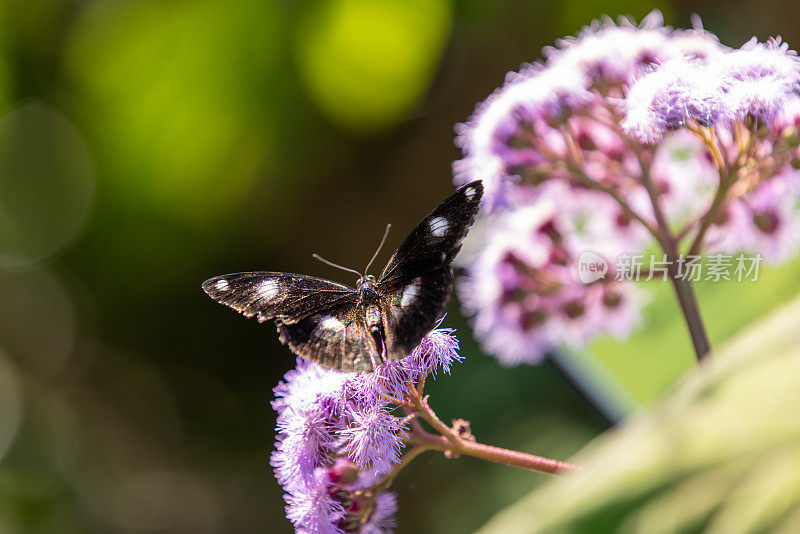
(367, 63)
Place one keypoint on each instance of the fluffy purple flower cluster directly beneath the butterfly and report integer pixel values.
(338, 435)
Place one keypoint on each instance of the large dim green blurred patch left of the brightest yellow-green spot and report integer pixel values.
(177, 95)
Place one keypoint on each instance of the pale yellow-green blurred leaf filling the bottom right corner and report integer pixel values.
(721, 454)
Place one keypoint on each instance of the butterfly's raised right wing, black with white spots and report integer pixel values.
(416, 284)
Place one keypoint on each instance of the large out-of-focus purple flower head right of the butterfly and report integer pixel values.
(621, 134)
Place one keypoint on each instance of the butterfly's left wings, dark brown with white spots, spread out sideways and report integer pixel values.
(316, 318)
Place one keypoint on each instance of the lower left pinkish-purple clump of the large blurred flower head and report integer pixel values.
(522, 289)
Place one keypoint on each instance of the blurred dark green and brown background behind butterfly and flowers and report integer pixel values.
(146, 146)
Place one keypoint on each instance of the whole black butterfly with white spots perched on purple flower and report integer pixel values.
(382, 319)
